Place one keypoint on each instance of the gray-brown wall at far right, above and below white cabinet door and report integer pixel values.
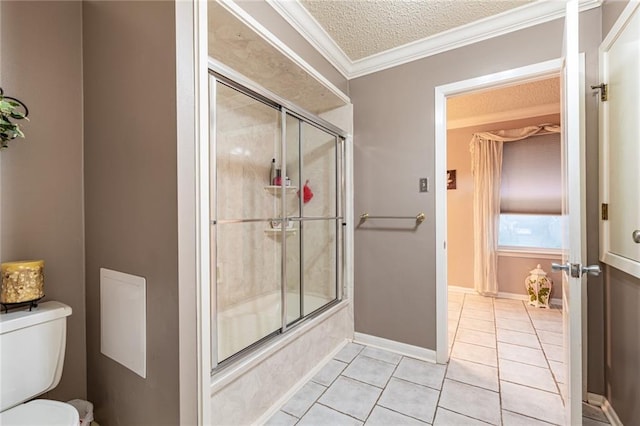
(622, 305)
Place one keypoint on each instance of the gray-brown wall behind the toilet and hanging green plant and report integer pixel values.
(41, 175)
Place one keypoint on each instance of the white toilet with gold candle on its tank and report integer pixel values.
(32, 345)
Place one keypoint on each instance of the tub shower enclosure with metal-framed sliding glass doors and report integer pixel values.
(276, 216)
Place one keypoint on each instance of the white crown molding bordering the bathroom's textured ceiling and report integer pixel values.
(522, 17)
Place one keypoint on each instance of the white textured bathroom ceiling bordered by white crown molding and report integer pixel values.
(362, 28)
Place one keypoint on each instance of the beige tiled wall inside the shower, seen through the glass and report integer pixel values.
(248, 266)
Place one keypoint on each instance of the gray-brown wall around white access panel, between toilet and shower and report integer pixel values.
(130, 197)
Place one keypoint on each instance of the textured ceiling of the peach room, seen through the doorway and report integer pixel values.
(505, 100)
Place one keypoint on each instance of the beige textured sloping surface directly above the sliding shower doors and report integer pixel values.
(240, 48)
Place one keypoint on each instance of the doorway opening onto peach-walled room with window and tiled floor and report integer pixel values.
(523, 340)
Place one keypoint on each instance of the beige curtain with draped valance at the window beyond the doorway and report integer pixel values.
(486, 167)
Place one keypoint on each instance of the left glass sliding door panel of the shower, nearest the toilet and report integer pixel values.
(246, 243)
